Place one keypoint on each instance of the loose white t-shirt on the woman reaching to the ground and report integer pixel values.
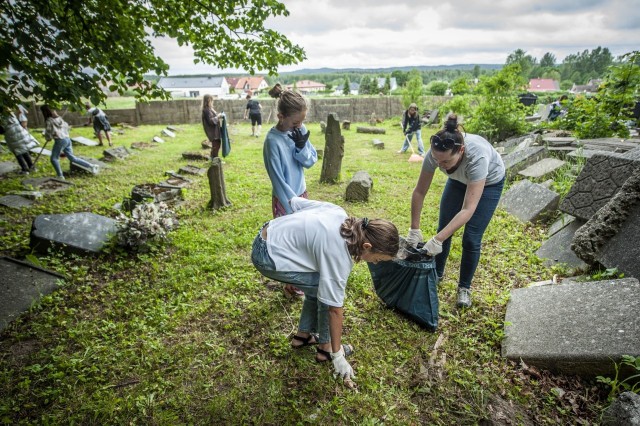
(308, 240)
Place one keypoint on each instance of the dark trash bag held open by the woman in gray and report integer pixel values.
(409, 285)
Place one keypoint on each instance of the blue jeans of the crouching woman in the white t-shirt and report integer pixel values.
(314, 317)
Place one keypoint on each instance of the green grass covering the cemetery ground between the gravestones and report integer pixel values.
(190, 334)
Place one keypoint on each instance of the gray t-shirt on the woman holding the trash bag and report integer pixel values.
(480, 161)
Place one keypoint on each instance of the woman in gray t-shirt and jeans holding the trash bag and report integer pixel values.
(472, 192)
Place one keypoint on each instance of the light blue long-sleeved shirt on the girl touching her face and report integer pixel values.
(285, 165)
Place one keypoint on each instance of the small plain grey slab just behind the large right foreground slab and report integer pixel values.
(557, 249)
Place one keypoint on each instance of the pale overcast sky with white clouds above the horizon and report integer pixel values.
(381, 34)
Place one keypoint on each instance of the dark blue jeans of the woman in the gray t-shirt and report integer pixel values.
(450, 205)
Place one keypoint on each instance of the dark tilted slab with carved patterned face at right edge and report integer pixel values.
(600, 179)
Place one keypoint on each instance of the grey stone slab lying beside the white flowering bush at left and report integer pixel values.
(80, 233)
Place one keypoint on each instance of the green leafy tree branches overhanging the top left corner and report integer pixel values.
(62, 50)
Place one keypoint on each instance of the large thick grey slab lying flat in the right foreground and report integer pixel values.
(576, 328)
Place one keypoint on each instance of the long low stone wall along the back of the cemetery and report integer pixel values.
(188, 111)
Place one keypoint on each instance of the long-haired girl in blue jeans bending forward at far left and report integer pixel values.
(58, 130)
